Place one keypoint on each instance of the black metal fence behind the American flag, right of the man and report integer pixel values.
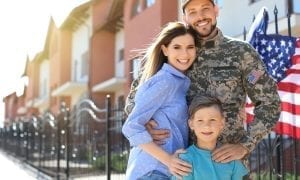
(277, 156)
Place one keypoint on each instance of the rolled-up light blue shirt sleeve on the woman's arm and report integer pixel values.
(149, 98)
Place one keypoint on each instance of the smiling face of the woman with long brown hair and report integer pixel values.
(181, 52)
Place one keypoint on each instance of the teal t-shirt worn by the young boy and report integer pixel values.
(203, 167)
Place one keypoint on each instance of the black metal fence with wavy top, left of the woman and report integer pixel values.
(86, 141)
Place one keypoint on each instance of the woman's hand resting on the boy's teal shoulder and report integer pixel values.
(178, 167)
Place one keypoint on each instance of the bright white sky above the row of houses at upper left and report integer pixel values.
(23, 31)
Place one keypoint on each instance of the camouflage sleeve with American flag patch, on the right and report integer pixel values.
(262, 90)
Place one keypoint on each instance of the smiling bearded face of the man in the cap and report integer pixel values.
(202, 16)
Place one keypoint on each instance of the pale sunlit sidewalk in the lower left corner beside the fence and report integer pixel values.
(15, 170)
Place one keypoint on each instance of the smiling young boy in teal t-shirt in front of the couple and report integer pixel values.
(206, 122)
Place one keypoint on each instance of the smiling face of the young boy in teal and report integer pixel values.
(207, 124)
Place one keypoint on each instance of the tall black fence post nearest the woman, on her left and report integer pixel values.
(107, 148)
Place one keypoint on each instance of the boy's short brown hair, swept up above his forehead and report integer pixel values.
(202, 101)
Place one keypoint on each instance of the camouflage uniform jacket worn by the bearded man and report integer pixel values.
(230, 70)
